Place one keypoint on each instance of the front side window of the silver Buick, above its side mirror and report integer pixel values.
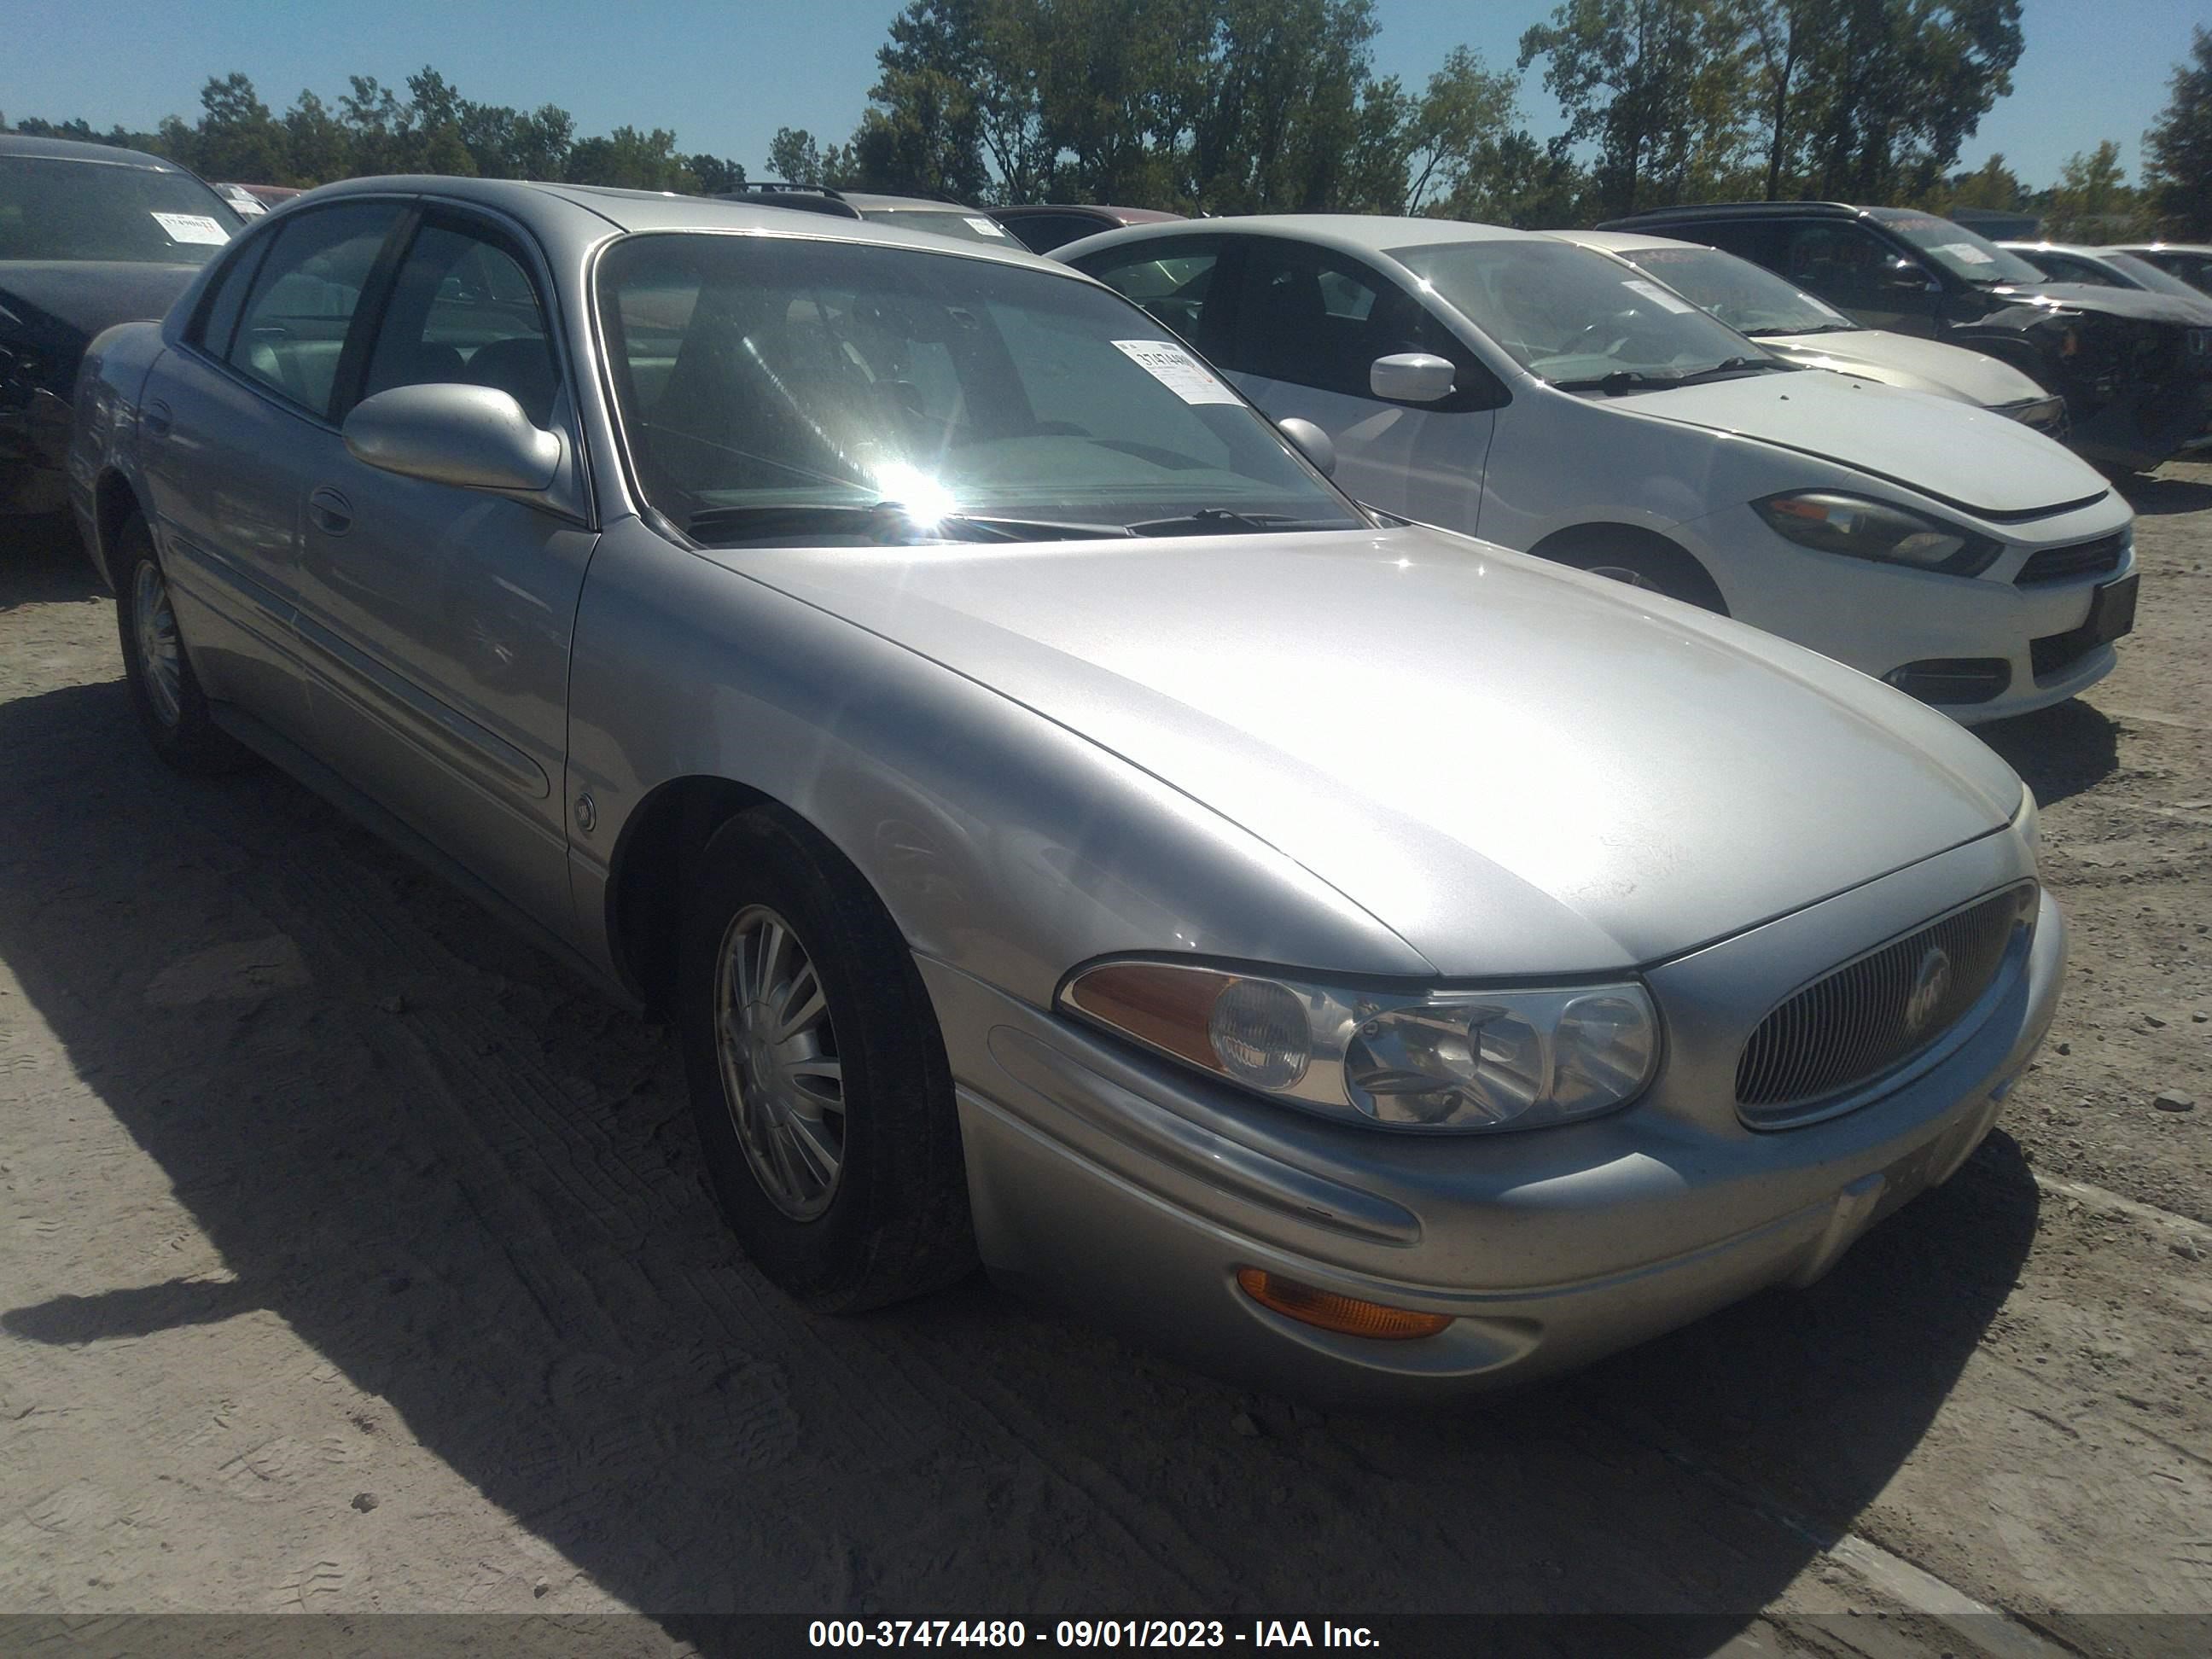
(466, 311)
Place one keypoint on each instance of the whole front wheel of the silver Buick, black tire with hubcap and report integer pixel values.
(835, 1149)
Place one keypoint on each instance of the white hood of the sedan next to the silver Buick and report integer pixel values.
(1961, 457)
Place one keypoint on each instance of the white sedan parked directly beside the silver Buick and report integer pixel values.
(1541, 395)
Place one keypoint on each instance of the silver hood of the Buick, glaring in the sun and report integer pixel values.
(1516, 769)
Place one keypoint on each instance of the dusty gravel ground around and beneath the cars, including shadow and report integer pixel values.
(355, 1260)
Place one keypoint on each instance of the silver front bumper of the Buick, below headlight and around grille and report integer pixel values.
(1136, 1191)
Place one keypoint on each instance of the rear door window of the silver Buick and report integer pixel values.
(302, 304)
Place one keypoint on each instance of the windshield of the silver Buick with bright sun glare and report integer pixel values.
(789, 390)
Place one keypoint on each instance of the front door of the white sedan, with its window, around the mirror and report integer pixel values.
(1300, 340)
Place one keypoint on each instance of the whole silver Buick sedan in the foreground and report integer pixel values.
(1067, 831)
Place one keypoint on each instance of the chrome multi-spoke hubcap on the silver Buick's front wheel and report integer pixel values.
(782, 1076)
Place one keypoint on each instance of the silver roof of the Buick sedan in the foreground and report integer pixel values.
(587, 211)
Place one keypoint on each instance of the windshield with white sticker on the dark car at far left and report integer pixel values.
(67, 209)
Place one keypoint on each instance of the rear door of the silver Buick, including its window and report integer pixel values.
(236, 430)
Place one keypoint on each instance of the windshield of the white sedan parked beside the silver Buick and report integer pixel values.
(1574, 315)
